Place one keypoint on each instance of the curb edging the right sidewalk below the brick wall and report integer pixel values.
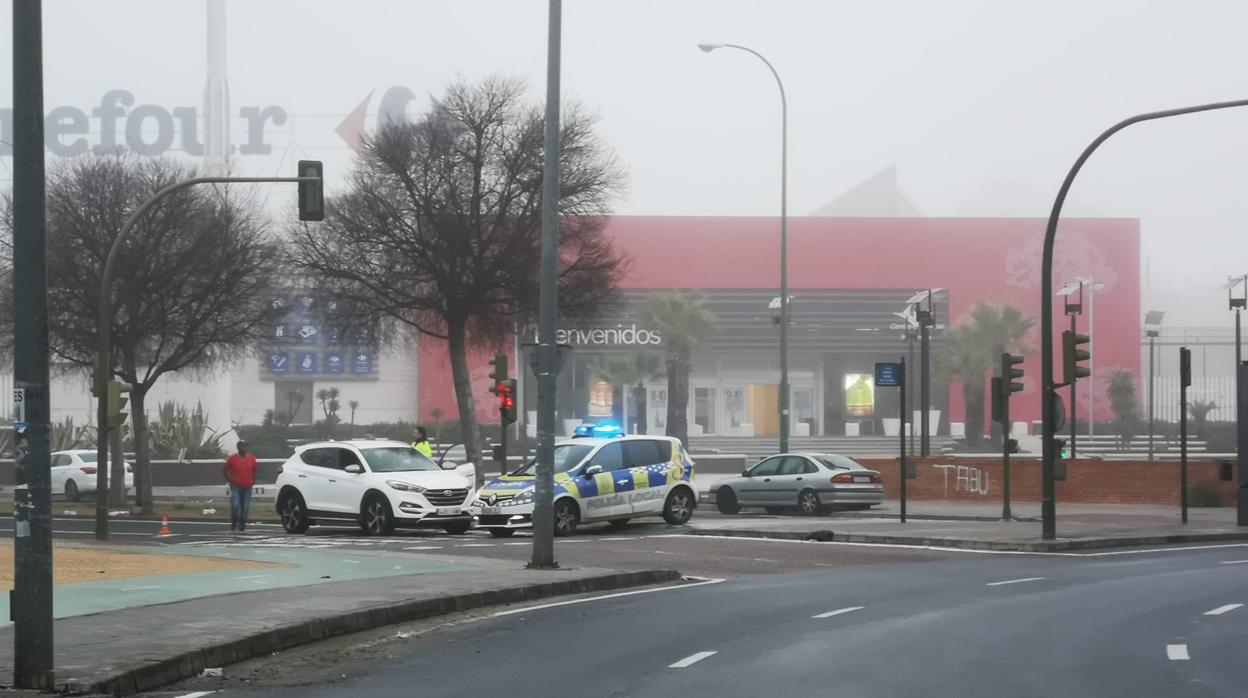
(970, 545)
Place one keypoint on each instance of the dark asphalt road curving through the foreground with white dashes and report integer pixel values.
(1109, 625)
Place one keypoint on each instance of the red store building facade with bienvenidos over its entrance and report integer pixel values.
(849, 280)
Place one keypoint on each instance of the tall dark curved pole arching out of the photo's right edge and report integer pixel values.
(1049, 509)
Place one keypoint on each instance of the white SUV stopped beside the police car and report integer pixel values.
(378, 485)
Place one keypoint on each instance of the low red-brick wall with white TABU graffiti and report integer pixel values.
(1089, 481)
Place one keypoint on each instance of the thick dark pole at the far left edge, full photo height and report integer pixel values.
(32, 602)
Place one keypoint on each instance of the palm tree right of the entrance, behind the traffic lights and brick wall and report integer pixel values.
(974, 349)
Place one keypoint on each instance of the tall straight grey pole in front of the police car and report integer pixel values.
(548, 308)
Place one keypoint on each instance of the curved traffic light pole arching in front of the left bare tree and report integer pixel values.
(104, 334)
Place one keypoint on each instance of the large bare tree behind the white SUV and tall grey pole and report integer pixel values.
(439, 232)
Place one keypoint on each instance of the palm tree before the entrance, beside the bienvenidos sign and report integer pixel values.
(683, 322)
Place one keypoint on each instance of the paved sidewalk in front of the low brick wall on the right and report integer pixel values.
(1079, 528)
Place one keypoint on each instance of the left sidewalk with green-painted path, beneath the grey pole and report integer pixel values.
(159, 630)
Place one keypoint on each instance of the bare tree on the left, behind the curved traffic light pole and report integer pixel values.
(193, 283)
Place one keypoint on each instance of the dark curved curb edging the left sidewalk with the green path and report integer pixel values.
(147, 677)
